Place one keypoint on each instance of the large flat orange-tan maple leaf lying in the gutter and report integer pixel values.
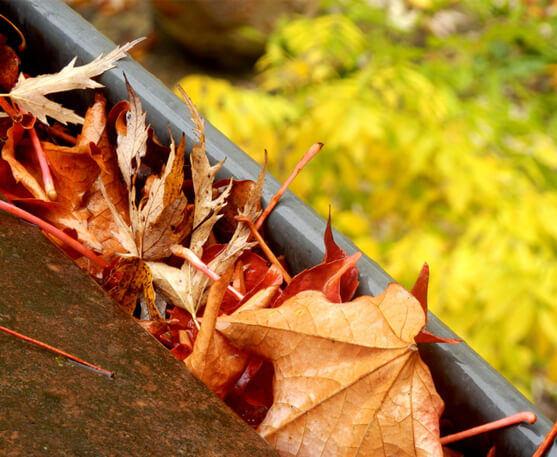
(349, 380)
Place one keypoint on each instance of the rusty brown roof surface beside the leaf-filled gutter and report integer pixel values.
(50, 406)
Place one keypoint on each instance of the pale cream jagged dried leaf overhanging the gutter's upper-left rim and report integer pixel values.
(30, 93)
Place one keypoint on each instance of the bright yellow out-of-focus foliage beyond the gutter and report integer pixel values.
(413, 173)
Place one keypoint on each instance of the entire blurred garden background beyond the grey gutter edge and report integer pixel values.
(439, 119)
